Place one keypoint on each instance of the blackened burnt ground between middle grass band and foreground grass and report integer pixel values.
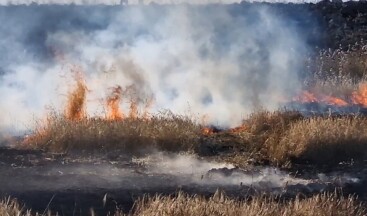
(73, 184)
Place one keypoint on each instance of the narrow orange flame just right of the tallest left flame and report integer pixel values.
(113, 104)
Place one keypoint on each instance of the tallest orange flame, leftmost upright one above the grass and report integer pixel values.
(76, 105)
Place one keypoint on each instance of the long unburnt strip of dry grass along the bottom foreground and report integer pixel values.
(219, 204)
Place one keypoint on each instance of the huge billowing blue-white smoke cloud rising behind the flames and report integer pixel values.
(201, 60)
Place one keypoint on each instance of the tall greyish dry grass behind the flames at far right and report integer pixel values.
(336, 72)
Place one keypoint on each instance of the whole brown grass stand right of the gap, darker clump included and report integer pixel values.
(283, 137)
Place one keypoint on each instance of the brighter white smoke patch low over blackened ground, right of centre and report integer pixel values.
(203, 172)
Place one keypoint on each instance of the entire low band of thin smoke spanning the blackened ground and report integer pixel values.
(172, 169)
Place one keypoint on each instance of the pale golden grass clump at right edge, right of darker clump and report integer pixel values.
(324, 140)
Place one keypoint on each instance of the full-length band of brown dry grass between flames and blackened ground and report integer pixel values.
(279, 138)
